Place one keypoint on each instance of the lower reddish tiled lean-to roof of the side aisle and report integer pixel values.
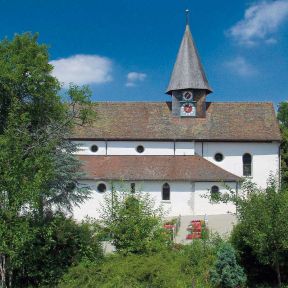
(173, 168)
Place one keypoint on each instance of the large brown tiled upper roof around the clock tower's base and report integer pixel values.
(154, 121)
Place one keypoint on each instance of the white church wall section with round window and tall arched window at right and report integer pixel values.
(265, 159)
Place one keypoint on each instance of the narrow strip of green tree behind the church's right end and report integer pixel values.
(283, 119)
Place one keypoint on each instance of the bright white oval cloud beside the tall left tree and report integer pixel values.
(83, 69)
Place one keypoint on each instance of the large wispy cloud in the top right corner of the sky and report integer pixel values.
(261, 21)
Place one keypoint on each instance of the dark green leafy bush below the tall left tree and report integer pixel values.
(57, 245)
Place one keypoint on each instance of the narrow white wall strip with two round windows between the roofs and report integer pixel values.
(129, 148)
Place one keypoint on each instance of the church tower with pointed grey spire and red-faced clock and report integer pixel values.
(188, 85)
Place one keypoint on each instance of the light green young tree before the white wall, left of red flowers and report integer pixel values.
(134, 223)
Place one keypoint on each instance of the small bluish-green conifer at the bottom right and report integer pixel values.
(227, 273)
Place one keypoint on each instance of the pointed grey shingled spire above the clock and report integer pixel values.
(188, 72)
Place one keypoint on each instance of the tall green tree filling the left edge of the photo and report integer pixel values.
(37, 169)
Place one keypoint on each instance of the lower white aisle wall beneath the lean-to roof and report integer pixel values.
(185, 198)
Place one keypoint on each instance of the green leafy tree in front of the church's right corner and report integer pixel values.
(262, 215)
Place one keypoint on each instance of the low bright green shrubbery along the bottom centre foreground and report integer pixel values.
(188, 265)
